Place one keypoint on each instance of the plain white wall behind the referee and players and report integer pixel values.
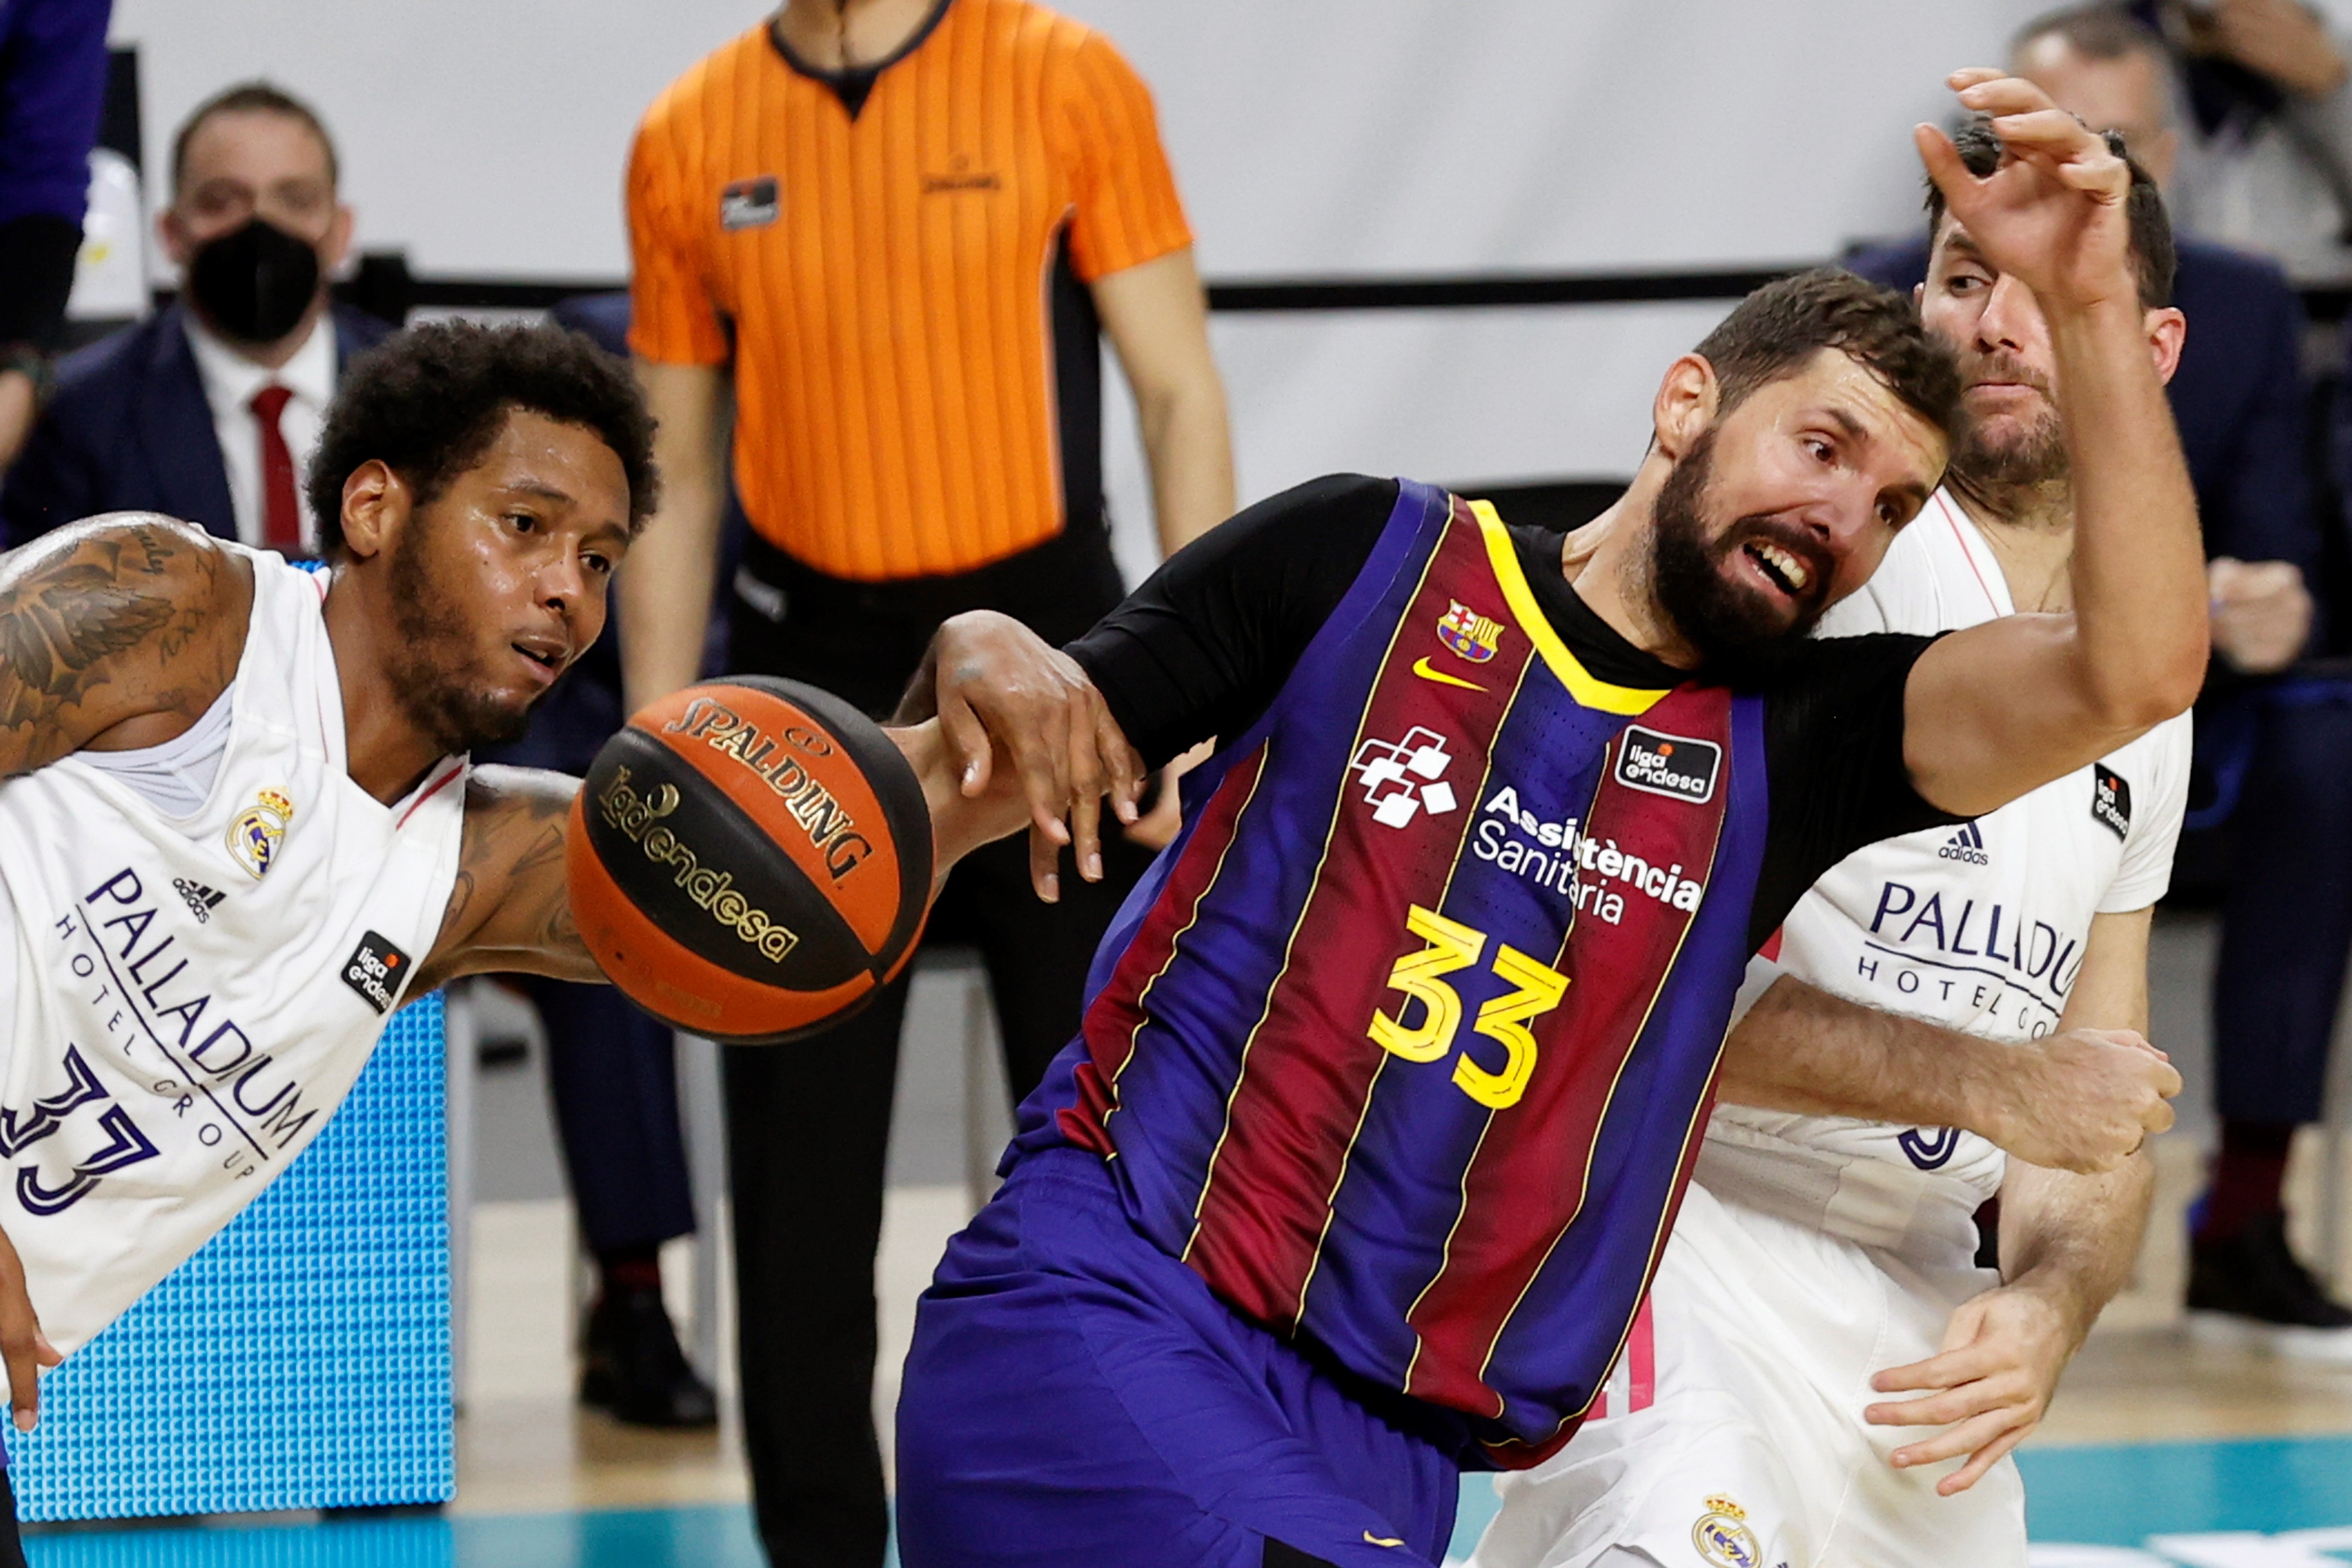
(1311, 138)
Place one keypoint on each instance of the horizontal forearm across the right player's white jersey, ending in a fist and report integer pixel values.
(1800, 1050)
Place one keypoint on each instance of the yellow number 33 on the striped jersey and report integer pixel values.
(1422, 977)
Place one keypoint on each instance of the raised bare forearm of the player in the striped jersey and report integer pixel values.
(2139, 563)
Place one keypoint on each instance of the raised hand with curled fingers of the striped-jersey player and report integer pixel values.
(2054, 210)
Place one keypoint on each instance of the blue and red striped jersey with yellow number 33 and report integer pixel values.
(1408, 1040)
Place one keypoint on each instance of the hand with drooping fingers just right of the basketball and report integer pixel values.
(998, 688)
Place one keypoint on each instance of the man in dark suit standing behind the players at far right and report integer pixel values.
(2283, 749)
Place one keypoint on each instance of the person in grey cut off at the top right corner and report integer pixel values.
(2266, 149)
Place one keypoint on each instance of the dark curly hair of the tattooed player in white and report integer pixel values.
(434, 398)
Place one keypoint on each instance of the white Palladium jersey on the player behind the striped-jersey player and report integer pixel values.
(1977, 927)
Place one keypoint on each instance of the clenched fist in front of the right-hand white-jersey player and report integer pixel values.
(2085, 1101)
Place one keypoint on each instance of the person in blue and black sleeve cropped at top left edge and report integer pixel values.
(53, 88)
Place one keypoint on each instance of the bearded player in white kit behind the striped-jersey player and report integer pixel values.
(1819, 1259)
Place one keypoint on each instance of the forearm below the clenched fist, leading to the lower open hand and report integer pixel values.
(2076, 1238)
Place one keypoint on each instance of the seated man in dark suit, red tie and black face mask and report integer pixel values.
(213, 408)
